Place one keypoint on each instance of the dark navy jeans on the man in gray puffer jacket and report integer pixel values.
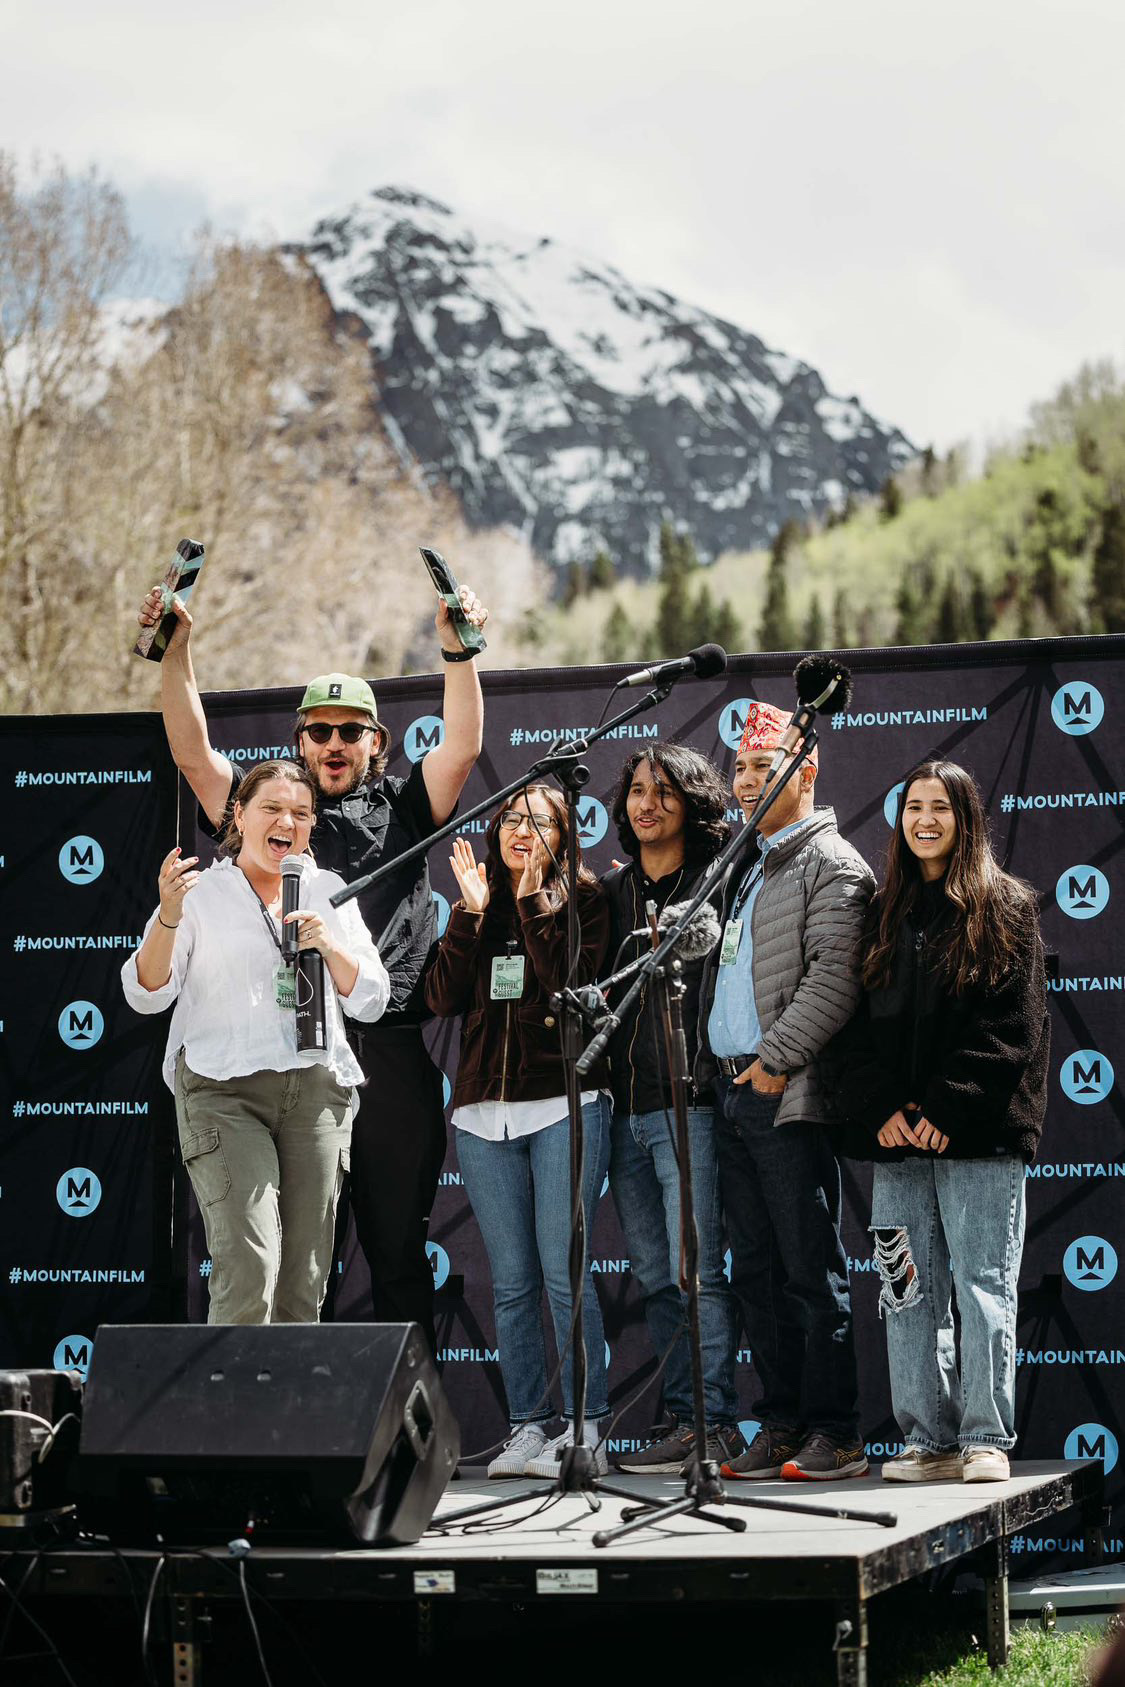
(790, 1275)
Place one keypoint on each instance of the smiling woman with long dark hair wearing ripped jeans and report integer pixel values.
(945, 1074)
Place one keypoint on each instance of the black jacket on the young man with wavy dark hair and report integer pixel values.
(637, 1052)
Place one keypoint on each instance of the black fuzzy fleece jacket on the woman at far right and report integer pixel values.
(974, 1064)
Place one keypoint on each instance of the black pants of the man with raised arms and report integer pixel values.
(397, 1153)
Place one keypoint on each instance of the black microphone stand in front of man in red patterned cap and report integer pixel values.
(702, 1479)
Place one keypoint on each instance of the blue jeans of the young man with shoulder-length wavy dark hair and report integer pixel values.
(645, 1180)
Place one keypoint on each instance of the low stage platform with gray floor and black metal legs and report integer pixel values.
(517, 1558)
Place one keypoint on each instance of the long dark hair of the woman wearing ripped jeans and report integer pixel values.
(994, 910)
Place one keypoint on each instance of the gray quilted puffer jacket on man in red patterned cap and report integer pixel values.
(807, 929)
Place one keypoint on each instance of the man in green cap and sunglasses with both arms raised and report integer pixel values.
(365, 819)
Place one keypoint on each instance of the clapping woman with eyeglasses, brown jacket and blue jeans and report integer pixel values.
(500, 962)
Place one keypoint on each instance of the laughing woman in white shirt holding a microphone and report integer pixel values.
(264, 1126)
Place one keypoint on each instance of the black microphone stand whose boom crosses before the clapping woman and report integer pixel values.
(562, 762)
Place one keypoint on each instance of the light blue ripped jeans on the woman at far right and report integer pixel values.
(964, 1222)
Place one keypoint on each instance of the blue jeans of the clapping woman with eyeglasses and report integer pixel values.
(520, 1194)
